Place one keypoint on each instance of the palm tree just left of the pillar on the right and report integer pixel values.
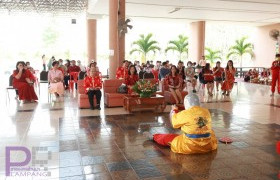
(180, 45)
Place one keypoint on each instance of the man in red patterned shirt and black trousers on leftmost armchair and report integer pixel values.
(93, 86)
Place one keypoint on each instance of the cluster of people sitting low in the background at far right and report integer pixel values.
(254, 76)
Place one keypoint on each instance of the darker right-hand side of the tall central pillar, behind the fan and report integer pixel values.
(121, 37)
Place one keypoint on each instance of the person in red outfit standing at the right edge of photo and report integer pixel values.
(275, 70)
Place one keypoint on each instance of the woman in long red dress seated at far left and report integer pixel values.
(23, 83)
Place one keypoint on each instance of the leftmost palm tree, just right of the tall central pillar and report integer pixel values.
(145, 45)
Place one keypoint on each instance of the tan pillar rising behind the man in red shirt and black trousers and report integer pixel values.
(91, 39)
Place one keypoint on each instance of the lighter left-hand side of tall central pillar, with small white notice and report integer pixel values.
(113, 38)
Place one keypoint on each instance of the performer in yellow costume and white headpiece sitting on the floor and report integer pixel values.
(195, 123)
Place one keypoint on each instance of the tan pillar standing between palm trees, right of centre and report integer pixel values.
(197, 41)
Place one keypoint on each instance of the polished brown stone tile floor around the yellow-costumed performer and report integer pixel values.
(108, 144)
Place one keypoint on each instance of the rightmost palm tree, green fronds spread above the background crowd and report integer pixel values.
(240, 48)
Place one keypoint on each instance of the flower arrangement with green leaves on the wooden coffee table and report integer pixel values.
(144, 88)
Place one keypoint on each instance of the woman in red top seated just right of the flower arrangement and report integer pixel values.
(175, 81)
